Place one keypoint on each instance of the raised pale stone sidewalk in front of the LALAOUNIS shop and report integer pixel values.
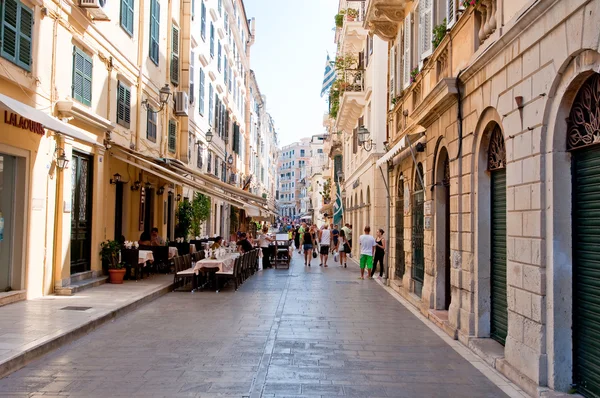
(34, 327)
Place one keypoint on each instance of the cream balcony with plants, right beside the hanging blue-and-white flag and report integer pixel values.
(350, 99)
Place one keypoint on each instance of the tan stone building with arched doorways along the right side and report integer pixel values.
(490, 172)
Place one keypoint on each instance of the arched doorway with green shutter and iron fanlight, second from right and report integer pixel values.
(497, 169)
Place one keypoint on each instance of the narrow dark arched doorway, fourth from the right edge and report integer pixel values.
(418, 236)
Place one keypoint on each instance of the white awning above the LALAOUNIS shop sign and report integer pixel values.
(51, 123)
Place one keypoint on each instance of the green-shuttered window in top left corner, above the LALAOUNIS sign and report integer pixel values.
(17, 30)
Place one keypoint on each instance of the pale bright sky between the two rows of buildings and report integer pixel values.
(288, 57)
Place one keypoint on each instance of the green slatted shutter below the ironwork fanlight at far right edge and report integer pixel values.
(586, 271)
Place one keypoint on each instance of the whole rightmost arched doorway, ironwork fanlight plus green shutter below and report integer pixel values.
(583, 136)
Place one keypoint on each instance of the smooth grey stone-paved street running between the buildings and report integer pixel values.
(301, 332)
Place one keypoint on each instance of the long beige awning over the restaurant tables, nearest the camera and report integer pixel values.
(173, 177)
